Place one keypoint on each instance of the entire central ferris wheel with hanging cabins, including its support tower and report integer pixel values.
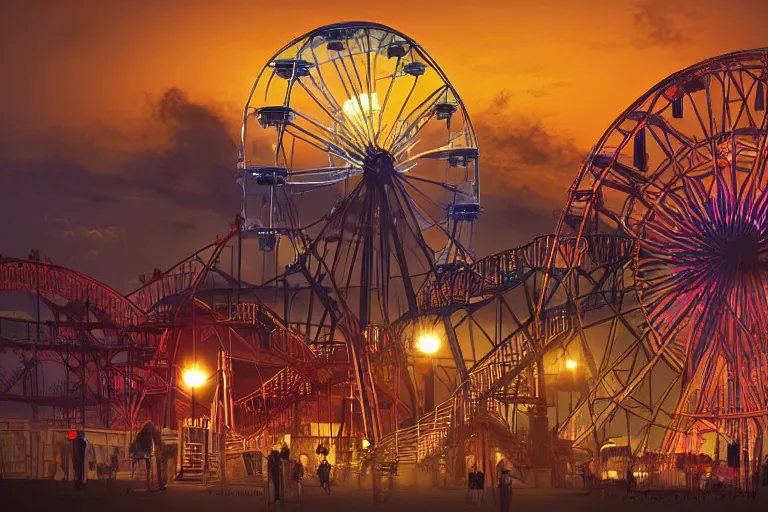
(358, 152)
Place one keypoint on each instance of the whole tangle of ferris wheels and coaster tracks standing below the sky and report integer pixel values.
(347, 283)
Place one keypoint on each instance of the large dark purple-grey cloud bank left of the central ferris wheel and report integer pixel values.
(116, 204)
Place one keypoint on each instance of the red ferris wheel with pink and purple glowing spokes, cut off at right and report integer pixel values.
(675, 339)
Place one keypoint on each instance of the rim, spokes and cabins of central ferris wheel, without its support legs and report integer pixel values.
(349, 99)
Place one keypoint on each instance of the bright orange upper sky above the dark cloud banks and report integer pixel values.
(573, 64)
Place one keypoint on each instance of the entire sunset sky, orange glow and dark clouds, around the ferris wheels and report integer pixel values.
(117, 149)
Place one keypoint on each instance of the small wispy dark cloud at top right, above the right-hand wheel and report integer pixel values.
(657, 24)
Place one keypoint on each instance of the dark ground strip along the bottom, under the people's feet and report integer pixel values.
(16, 495)
